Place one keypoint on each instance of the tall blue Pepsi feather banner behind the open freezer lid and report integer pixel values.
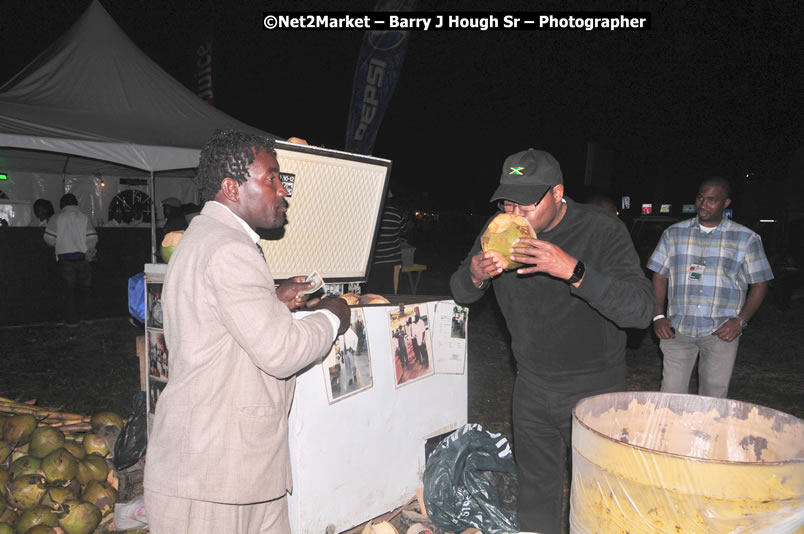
(378, 68)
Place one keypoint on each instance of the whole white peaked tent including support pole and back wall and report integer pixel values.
(94, 94)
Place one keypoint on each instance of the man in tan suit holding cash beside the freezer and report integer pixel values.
(217, 458)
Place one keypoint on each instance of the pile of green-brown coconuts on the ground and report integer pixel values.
(56, 474)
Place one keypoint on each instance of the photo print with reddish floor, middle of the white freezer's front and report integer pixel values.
(410, 343)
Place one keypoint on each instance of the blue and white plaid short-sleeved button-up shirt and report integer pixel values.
(732, 258)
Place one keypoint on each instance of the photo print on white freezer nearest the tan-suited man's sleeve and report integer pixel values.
(347, 368)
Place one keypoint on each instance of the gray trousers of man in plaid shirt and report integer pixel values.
(714, 368)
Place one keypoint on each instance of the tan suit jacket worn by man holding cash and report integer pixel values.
(220, 428)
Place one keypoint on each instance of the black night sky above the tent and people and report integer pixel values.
(711, 88)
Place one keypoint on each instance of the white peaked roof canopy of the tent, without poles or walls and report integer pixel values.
(94, 93)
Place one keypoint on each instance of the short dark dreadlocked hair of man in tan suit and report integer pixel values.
(228, 154)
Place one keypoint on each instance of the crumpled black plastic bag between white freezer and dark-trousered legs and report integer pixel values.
(470, 482)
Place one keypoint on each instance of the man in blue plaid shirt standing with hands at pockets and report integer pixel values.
(718, 276)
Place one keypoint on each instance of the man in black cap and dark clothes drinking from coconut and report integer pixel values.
(580, 285)
